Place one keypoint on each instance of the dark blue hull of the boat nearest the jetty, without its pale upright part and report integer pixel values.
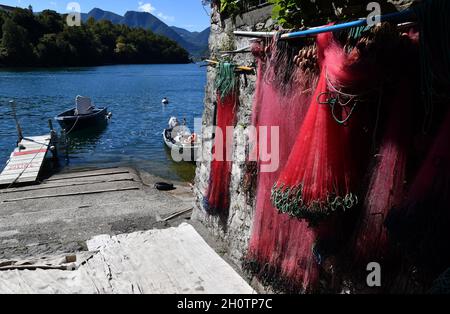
(71, 122)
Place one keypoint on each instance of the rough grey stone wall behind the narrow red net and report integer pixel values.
(235, 229)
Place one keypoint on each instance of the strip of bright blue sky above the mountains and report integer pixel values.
(188, 14)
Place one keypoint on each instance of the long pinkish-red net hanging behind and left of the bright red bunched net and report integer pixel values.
(281, 248)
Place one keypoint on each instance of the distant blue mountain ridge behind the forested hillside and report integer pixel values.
(196, 43)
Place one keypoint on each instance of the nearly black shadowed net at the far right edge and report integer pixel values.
(421, 224)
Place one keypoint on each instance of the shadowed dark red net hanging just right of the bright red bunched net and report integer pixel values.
(386, 178)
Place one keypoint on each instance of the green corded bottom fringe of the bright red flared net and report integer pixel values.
(289, 200)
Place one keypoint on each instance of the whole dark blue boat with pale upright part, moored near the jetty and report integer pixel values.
(84, 116)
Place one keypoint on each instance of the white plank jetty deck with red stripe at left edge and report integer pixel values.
(26, 160)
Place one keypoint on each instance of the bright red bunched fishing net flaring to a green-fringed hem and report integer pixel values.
(319, 177)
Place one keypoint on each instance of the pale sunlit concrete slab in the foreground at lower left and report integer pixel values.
(170, 261)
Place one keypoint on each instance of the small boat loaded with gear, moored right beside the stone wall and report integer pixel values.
(180, 140)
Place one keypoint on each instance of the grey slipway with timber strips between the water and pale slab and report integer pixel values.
(59, 215)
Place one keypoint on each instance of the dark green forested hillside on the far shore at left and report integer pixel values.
(45, 39)
